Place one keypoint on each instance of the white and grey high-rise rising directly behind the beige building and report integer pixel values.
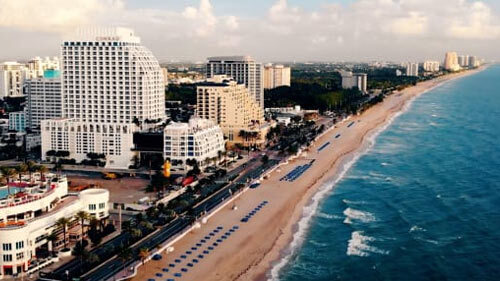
(244, 69)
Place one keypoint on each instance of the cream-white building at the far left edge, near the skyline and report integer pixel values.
(12, 76)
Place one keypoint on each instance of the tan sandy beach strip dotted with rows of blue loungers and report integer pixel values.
(250, 249)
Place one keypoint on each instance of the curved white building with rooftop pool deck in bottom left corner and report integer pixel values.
(30, 215)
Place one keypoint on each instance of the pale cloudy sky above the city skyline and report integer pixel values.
(269, 30)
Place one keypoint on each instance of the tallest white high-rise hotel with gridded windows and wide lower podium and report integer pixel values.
(111, 83)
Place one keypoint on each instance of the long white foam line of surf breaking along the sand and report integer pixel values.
(323, 191)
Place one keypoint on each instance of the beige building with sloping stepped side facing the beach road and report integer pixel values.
(229, 104)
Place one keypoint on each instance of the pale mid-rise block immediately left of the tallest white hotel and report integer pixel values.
(43, 100)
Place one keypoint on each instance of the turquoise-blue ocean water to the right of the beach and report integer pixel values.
(423, 203)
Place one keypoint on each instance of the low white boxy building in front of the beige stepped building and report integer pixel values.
(200, 139)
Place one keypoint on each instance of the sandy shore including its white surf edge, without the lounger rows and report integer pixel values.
(263, 245)
